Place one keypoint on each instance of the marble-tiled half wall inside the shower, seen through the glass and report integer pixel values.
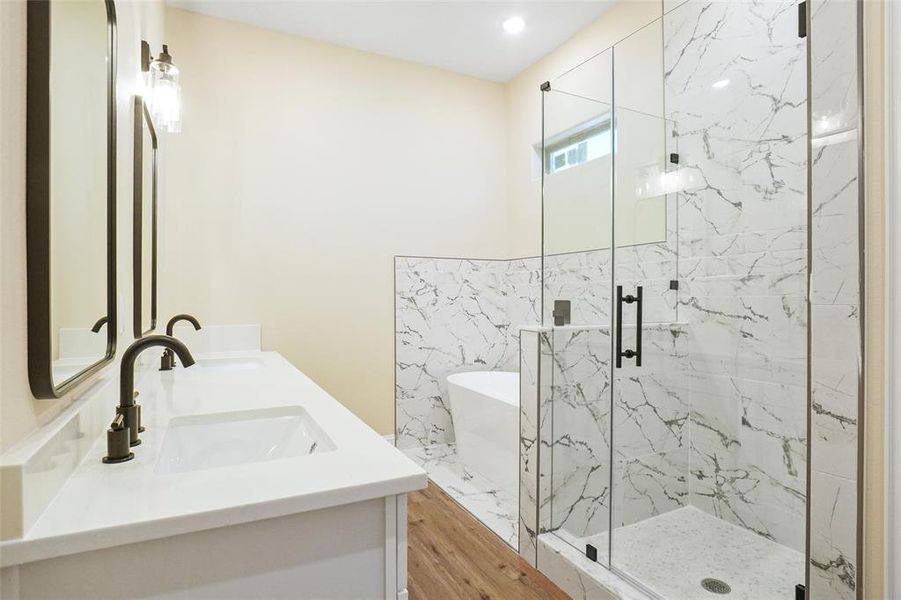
(650, 412)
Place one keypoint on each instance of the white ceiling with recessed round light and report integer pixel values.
(462, 36)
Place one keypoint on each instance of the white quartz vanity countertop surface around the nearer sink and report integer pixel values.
(103, 505)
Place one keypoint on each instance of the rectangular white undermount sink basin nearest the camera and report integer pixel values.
(197, 442)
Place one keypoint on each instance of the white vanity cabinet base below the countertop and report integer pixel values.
(355, 551)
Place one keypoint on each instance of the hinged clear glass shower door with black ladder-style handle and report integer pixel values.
(709, 401)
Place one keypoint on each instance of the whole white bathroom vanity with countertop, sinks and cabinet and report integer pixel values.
(250, 481)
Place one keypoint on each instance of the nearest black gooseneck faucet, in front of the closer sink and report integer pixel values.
(124, 430)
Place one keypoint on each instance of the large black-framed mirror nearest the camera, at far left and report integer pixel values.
(70, 192)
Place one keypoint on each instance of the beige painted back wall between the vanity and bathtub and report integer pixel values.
(301, 170)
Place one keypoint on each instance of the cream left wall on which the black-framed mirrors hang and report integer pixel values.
(20, 413)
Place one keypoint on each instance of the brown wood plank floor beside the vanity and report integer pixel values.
(453, 556)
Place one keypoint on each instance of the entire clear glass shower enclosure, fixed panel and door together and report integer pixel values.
(674, 201)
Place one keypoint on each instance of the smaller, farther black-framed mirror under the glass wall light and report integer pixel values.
(146, 156)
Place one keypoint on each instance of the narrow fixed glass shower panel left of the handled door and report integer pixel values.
(577, 232)
